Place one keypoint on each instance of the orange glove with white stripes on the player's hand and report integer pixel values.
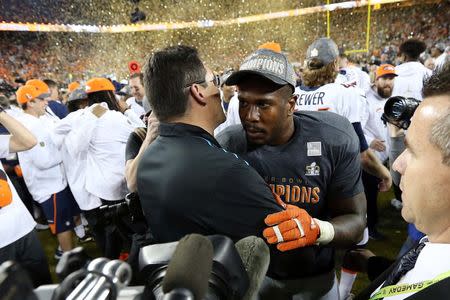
(290, 229)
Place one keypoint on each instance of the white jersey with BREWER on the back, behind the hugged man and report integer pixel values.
(333, 97)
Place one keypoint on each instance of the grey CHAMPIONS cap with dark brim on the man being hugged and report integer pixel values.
(266, 63)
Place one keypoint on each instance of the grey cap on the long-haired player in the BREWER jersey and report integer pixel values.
(323, 50)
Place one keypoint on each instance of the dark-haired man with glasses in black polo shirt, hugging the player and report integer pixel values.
(186, 182)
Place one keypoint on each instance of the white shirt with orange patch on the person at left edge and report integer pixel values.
(15, 220)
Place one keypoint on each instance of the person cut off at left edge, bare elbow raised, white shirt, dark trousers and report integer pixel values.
(18, 240)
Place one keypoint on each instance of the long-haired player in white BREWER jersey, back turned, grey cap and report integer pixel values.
(319, 92)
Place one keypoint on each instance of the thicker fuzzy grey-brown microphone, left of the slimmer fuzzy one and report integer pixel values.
(189, 269)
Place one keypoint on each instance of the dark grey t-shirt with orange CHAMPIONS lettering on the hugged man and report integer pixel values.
(319, 164)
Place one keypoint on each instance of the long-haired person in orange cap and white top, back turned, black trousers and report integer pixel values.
(102, 131)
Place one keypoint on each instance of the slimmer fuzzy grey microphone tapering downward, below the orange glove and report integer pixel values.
(255, 256)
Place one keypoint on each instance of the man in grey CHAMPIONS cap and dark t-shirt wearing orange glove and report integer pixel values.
(311, 160)
